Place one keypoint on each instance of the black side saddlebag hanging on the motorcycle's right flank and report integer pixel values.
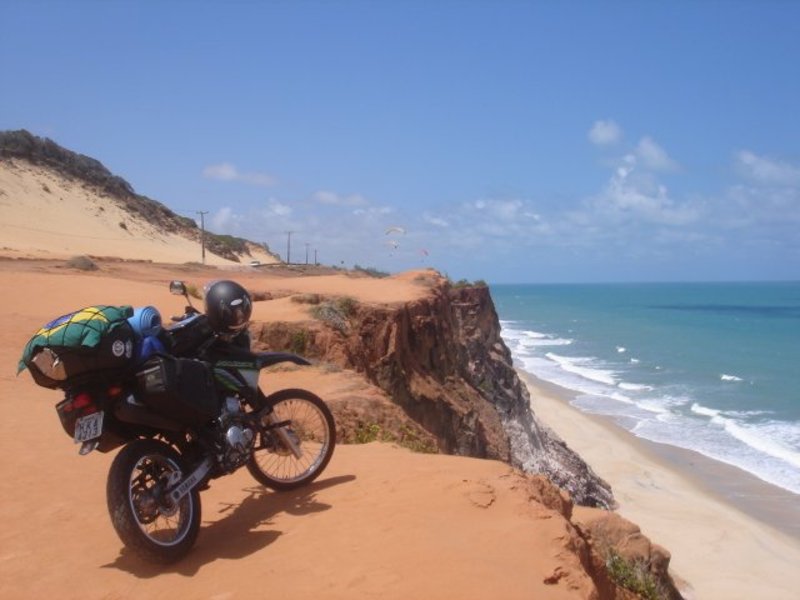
(179, 388)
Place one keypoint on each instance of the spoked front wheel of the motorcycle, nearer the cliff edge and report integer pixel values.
(296, 442)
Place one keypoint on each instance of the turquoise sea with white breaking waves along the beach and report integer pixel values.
(706, 367)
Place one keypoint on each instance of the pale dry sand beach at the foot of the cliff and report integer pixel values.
(717, 548)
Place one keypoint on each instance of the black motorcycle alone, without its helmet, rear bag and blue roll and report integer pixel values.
(191, 413)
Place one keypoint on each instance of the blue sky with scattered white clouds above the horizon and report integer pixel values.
(502, 141)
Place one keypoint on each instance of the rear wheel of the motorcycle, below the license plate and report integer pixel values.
(146, 522)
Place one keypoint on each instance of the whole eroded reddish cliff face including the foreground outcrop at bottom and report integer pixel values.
(442, 361)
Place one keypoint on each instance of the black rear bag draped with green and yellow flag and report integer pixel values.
(80, 345)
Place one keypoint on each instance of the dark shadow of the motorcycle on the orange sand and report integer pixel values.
(233, 535)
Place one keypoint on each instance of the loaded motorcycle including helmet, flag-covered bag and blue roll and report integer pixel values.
(184, 403)
